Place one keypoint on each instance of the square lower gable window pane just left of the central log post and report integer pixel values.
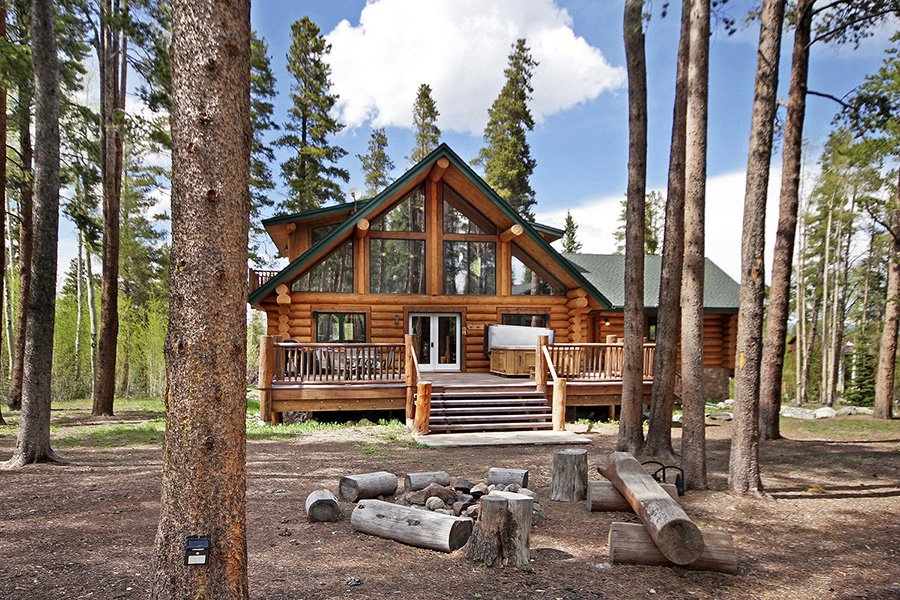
(397, 266)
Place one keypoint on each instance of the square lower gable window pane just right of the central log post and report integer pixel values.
(470, 268)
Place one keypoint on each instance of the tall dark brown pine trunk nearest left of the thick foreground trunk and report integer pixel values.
(111, 105)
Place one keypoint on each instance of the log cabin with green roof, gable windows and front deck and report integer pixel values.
(392, 303)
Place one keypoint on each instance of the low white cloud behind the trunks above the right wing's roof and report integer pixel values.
(597, 220)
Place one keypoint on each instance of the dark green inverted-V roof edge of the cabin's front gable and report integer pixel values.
(364, 212)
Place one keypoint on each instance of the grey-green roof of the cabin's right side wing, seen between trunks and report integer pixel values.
(607, 273)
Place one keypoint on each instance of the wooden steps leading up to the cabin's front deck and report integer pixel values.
(511, 407)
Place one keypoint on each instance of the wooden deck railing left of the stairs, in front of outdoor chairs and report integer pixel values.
(298, 362)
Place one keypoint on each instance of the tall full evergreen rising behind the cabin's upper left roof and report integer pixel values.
(312, 174)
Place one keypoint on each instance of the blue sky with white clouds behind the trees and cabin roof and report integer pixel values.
(383, 49)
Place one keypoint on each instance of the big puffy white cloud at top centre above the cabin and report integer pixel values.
(460, 48)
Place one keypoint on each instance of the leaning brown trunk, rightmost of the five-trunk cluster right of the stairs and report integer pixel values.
(782, 258)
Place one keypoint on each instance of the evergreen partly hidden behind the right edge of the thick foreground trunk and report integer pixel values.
(262, 94)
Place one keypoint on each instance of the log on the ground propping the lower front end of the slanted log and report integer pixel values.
(630, 544)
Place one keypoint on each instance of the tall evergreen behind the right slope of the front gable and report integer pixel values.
(506, 156)
